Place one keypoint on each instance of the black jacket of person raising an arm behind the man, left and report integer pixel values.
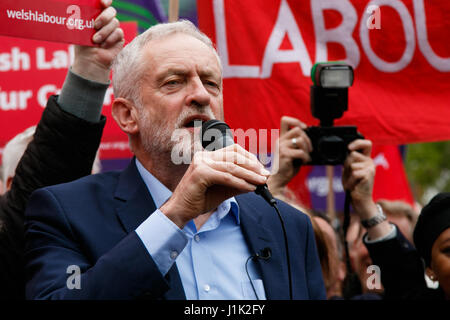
(63, 149)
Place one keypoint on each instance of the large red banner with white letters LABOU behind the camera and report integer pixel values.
(399, 50)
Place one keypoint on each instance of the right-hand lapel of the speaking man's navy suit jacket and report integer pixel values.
(259, 235)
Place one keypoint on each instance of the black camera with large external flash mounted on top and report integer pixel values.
(329, 101)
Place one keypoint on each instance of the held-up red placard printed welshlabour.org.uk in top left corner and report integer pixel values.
(53, 20)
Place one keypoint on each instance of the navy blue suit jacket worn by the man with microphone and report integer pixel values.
(90, 223)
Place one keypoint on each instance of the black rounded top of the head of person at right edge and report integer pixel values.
(433, 220)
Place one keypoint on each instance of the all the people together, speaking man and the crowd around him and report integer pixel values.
(196, 230)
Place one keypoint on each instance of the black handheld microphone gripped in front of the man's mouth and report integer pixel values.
(216, 135)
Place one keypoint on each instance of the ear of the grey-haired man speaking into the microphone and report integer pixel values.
(125, 114)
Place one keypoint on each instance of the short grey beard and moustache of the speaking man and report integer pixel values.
(176, 144)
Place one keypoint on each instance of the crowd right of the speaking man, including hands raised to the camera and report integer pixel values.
(393, 242)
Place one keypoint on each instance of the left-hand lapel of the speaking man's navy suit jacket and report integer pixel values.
(136, 205)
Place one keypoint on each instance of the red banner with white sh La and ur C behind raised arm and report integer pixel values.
(31, 71)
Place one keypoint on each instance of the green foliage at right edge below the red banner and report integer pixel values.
(428, 168)
